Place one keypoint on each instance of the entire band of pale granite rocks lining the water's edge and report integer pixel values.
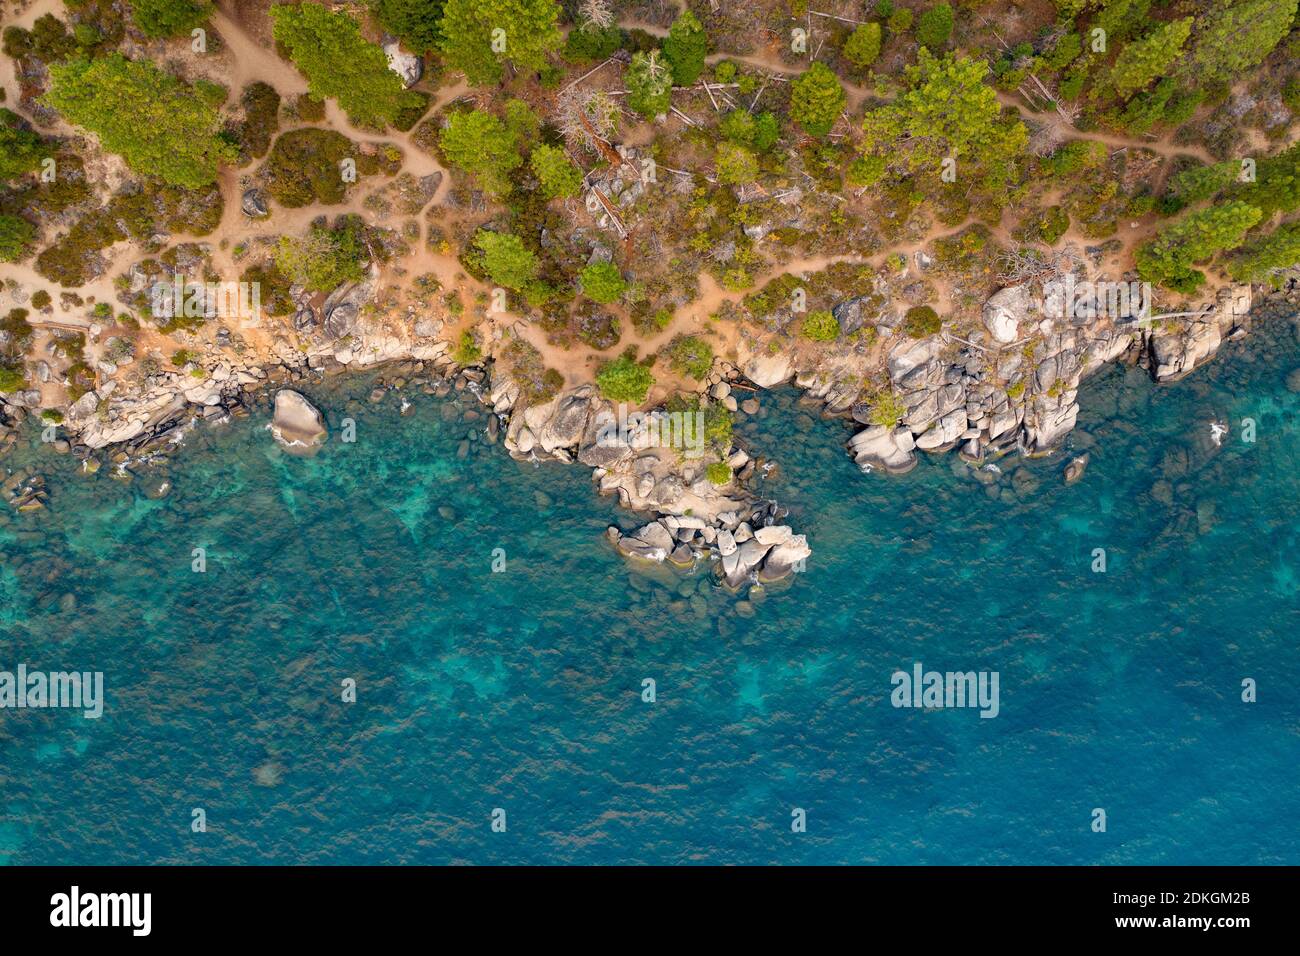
(947, 387)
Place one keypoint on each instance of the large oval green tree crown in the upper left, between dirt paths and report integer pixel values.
(155, 122)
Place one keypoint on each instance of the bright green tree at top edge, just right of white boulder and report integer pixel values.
(530, 28)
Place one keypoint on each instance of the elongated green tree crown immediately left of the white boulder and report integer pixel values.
(330, 50)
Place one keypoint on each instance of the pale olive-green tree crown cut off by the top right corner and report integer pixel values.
(1234, 38)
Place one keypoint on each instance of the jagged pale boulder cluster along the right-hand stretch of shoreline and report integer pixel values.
(1013, 386)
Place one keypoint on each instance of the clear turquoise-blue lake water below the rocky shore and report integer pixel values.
(522, 690)
